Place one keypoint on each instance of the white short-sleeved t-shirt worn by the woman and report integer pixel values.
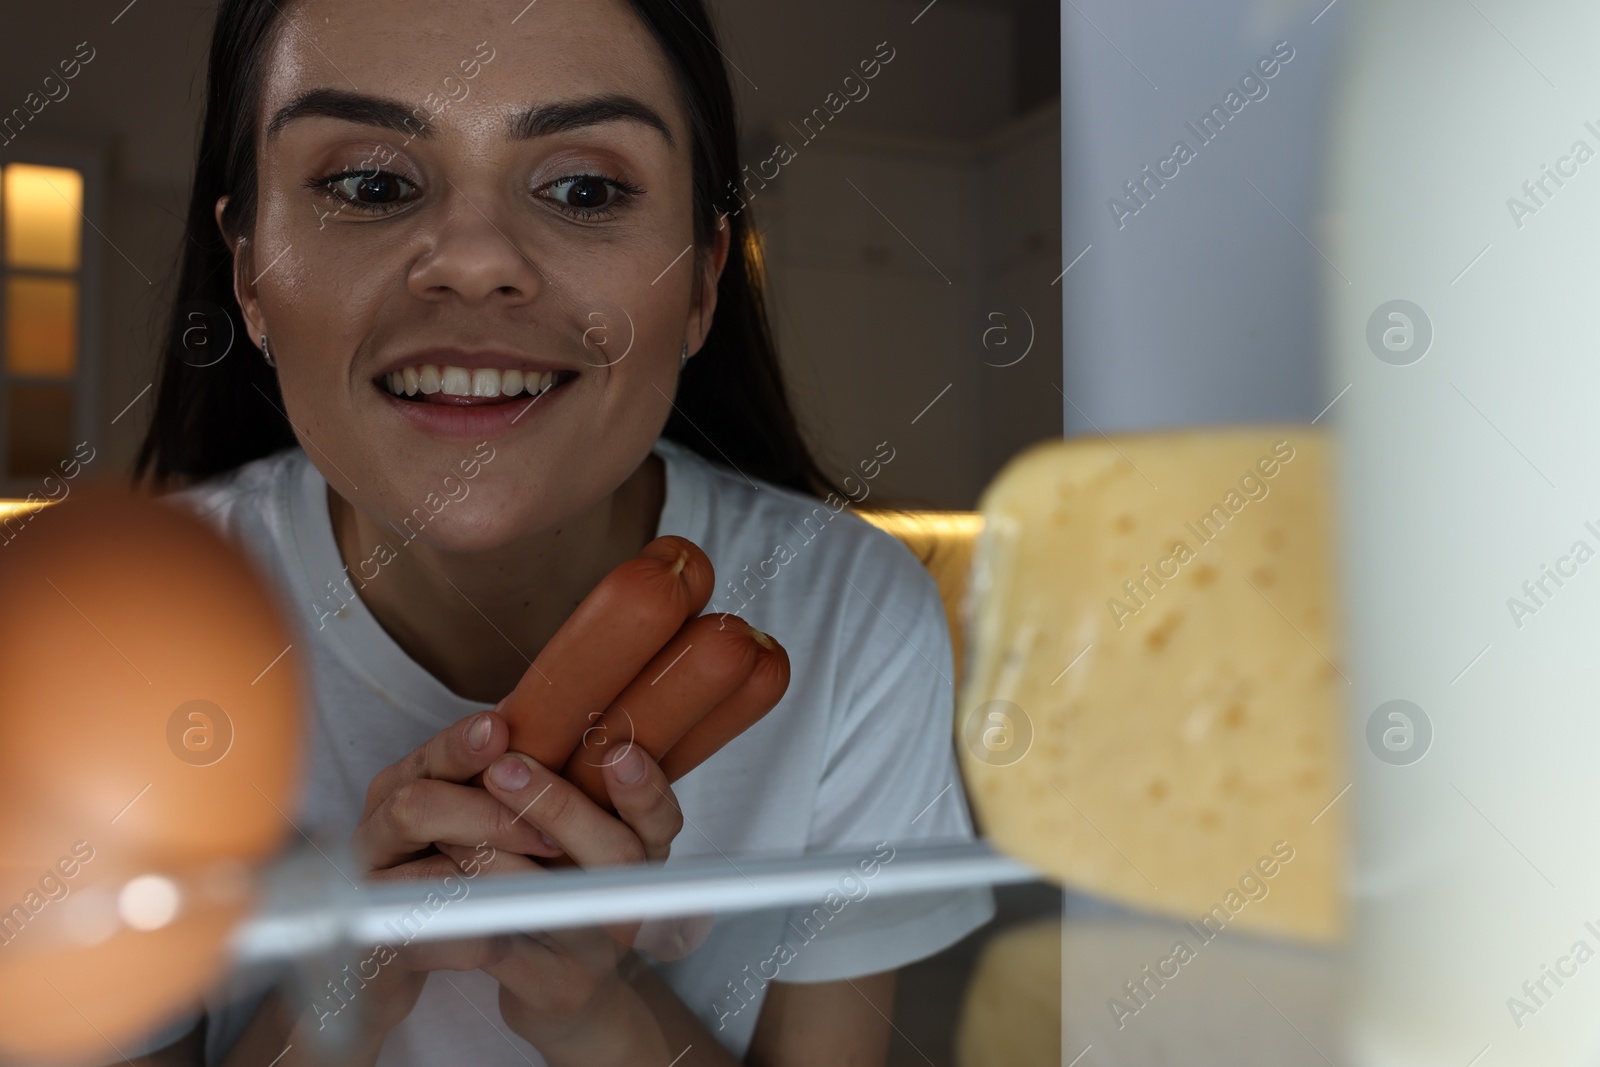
(858, 751)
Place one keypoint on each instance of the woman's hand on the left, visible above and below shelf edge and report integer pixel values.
(417, 810)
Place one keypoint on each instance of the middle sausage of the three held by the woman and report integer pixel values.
(706, 663)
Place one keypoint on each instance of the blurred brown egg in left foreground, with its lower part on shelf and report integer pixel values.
(150, 725)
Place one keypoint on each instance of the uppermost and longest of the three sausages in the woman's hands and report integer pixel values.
(609, 639)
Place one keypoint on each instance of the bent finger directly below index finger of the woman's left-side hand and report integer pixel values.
(423, 812)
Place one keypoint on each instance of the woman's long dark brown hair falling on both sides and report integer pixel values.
(214, 417)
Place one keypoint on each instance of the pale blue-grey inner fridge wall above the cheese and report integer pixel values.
(1202, 308)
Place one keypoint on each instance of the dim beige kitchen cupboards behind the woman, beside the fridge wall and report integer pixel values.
(876, 324)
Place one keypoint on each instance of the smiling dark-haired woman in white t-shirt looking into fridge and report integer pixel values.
(510, 332)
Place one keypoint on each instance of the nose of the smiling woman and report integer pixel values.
(476, 258)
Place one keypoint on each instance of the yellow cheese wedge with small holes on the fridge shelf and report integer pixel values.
(1153, 700)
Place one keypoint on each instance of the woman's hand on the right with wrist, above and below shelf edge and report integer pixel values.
(567, 993)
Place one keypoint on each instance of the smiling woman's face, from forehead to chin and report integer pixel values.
(460, 206)
